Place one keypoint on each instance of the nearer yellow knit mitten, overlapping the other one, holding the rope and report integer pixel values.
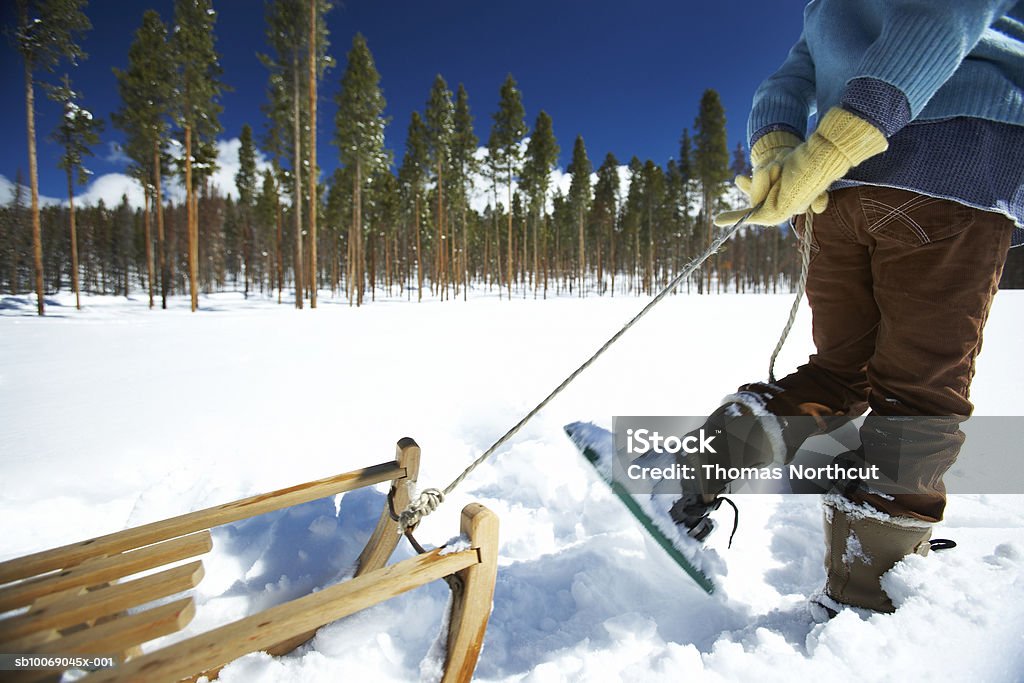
(841, 142)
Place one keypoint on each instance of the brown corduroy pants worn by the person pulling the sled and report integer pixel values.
(900, 287)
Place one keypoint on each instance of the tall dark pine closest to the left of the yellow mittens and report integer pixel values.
(711, 158)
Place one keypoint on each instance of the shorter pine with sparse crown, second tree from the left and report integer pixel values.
(76, 135)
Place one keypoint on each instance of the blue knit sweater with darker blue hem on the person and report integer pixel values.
(943, 79)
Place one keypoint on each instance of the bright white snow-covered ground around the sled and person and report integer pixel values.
(116, 416)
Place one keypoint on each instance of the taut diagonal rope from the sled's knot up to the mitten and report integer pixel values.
(429, 501)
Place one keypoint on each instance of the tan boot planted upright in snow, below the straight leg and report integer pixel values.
(862, 544)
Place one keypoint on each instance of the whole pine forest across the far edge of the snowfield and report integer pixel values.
(449, 215)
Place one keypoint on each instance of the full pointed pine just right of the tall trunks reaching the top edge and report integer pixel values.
(360, 137)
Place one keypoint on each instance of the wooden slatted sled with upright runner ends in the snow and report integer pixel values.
(80, 600)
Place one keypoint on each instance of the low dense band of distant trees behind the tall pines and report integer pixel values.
(633, 250)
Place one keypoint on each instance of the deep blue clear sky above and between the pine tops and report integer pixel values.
(627, 76)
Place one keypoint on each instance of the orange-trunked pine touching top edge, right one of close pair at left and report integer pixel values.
(198, 91)
